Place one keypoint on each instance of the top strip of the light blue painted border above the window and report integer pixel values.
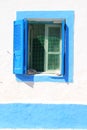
(44, 14)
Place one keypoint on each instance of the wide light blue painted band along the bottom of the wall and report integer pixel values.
(43, 116)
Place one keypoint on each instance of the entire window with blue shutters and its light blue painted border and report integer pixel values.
(41, 45)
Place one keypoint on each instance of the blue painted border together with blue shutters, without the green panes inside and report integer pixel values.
(21, 47)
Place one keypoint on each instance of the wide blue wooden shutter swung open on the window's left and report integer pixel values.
(18, 48)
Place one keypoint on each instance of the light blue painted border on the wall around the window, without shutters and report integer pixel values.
(69, 16)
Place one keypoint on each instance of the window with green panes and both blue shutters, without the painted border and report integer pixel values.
(39, 46)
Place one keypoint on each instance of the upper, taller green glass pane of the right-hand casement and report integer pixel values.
(53, 39)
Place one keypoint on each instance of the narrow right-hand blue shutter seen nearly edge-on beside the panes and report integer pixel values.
(63, 48)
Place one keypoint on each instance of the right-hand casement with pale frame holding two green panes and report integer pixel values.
(54, 50)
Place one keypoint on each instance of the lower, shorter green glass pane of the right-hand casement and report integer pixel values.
(53, 61)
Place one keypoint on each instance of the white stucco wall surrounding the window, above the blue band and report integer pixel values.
(13, 91)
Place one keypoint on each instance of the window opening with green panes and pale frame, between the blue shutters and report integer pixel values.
(44, 47)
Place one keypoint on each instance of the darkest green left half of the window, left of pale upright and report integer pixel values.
(37, 50)
